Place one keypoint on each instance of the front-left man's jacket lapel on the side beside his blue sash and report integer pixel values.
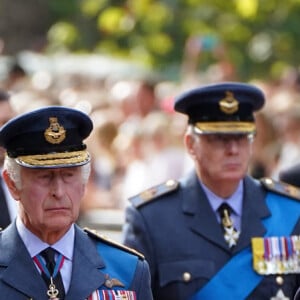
(87, 264)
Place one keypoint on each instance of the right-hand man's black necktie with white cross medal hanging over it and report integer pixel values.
(231, 235)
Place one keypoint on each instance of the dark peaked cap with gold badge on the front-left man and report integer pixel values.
(47, 138)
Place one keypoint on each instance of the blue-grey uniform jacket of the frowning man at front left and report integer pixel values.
(20, 279)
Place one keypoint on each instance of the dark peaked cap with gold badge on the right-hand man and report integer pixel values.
(222, 108)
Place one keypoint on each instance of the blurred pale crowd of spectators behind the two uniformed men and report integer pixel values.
(137, 140)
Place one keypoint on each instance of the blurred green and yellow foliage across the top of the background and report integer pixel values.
(259, 37)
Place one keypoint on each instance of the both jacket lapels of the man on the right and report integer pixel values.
(202, 220)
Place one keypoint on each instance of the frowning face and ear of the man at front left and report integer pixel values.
(49, 199)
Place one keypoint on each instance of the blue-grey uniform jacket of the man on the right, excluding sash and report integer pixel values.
(184, 245)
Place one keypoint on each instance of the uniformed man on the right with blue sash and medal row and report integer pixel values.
(218, 233)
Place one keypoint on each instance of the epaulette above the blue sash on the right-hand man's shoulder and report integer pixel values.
(281, 188)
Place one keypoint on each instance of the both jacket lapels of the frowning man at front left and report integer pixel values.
(23, 276)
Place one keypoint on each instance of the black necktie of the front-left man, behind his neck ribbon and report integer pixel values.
(49, 256)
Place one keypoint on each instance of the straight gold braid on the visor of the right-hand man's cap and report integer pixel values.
(225, 127)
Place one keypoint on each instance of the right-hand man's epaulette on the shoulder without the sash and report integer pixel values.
(154, 192)
